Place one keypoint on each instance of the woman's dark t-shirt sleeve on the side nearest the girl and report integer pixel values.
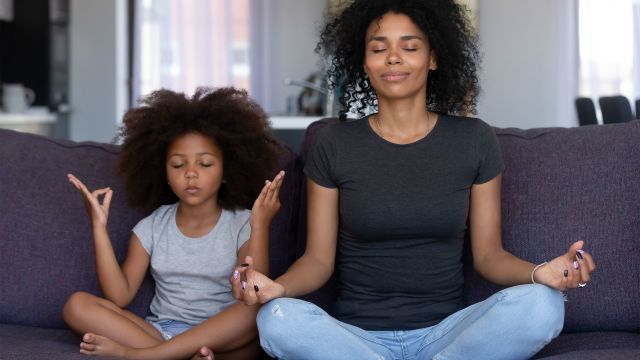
(322, 160)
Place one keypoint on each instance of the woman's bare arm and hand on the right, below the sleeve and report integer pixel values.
(501, 267)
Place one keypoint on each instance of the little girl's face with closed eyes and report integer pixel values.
(194, 169)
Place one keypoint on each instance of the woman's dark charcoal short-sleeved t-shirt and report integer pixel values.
(403, 217)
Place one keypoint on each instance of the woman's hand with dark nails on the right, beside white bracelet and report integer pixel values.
(571, 270)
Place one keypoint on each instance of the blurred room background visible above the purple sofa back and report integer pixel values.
(70, 68)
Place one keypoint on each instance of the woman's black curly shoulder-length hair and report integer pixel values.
(452, 88)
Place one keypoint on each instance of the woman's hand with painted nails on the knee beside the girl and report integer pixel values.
(252, 287)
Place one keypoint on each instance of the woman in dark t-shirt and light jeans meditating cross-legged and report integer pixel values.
(389, 199)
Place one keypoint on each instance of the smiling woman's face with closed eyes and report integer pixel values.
(397, 57)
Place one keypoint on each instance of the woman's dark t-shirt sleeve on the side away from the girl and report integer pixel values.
(490, 162)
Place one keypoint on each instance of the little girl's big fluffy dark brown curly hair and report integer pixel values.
(237, 125)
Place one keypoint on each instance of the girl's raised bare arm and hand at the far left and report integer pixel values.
(117, 284)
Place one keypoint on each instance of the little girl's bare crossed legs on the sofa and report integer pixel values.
(111, 331)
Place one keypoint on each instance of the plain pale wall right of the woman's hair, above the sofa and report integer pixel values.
(530, 66)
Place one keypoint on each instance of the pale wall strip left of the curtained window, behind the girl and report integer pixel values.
(97, 77)
